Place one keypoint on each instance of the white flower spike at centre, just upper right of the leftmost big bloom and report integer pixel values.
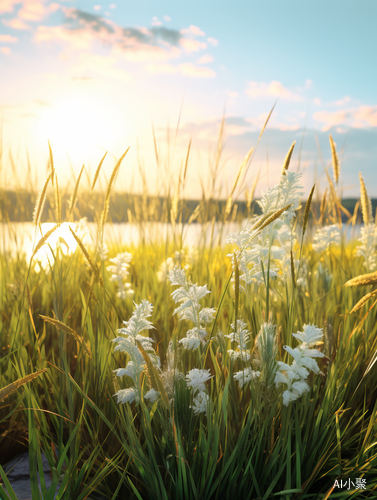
(191, 310)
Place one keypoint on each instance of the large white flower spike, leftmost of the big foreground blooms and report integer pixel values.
(136, 365)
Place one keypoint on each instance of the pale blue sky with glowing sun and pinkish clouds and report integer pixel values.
(92, 78)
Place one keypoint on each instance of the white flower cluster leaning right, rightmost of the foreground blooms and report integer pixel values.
(294, 376)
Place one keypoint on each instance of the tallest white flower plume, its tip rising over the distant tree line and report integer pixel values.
(288, 191)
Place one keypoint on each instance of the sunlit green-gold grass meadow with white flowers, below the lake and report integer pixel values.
(159, 371)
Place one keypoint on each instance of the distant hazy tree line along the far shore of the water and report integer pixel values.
(18, 206)
